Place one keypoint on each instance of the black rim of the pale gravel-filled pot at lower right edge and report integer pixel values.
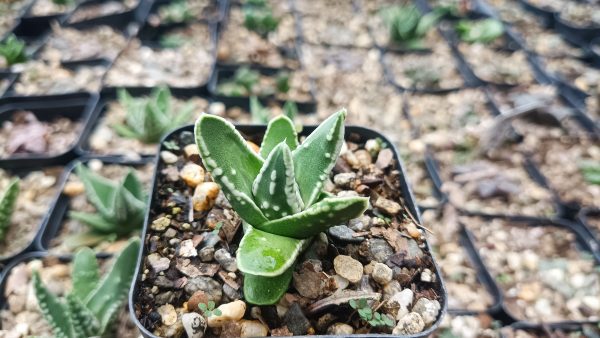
(582, 242)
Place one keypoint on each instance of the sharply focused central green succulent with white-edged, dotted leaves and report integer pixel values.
(278, 194)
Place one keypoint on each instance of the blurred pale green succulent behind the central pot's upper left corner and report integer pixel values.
(149, 118)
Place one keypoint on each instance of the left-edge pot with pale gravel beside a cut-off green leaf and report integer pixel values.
(37, 219)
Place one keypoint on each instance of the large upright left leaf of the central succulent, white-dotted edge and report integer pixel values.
(231, 162)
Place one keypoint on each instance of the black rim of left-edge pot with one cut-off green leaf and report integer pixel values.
(41, 226)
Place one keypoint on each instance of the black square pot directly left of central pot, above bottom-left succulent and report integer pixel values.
(59, 216)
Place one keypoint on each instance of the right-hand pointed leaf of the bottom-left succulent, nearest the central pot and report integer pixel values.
(106, 299)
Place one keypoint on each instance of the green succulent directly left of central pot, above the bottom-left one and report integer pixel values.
(119, 206)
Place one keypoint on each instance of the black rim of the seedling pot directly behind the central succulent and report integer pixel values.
(242, 101)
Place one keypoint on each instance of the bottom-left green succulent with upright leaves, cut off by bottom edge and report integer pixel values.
(90, 308)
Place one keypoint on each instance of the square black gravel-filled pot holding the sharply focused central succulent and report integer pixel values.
(173, 193)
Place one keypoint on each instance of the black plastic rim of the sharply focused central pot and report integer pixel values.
(363, 134)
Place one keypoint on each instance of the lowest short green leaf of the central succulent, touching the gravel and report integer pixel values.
(260, 290)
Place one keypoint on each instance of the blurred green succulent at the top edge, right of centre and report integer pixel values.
(408, 26)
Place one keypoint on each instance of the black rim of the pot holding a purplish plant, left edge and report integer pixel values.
(77, 107)
